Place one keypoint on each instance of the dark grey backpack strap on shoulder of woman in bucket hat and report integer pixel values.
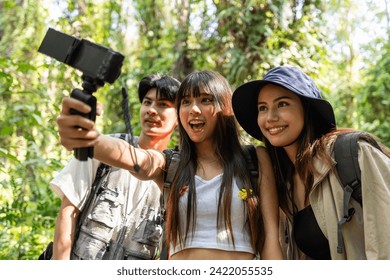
(348, 170)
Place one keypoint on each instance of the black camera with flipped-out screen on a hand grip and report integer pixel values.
(97, 63)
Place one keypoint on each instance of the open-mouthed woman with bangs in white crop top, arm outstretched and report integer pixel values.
(207, 216)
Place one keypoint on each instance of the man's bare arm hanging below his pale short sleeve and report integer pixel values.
(64, 230)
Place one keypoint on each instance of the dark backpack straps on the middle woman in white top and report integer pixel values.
(172, 157)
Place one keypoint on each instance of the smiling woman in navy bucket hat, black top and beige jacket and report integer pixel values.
(285, 110)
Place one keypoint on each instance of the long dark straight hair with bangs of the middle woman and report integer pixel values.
(230, 155)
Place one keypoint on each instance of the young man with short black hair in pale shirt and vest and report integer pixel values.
(123, 223)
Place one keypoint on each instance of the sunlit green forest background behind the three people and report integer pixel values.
(343, 45)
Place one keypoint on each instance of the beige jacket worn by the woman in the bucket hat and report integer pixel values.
(367, 234)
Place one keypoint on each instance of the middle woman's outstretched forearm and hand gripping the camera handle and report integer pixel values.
(76, 131)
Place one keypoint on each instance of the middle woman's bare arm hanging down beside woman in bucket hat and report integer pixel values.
(269, 207)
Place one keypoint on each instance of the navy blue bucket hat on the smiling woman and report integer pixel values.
(292, 78)
